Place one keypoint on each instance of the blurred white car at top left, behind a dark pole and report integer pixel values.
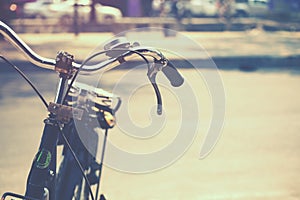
(64, 11)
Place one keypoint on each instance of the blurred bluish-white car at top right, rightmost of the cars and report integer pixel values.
(251, 8)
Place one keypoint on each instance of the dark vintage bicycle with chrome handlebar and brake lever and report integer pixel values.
(78, 101)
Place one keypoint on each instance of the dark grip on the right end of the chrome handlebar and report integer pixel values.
(173, 75)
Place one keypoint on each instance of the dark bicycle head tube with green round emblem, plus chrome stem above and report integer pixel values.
(43, 170)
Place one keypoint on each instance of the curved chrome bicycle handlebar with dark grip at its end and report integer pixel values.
(168, 69)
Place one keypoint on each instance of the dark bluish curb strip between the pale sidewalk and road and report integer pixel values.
(244, 63)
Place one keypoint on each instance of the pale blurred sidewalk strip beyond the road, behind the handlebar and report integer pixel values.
(253, 49)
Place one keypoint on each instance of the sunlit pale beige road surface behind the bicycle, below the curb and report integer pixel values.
(256, 158)
